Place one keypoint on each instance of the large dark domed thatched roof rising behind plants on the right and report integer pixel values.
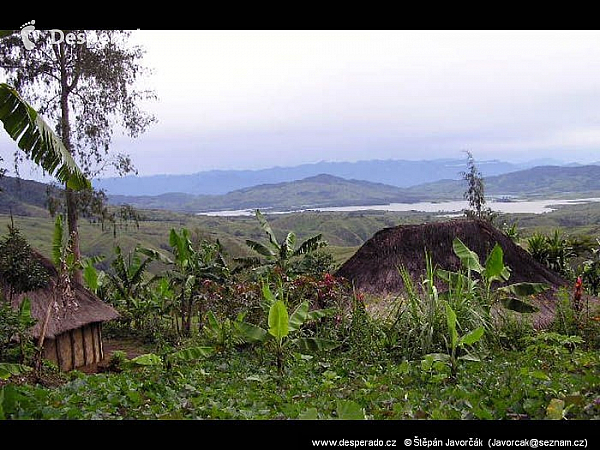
(374, 267)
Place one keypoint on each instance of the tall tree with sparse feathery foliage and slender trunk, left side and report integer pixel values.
(85, 86)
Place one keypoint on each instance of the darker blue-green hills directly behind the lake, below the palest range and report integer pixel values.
(25, 197)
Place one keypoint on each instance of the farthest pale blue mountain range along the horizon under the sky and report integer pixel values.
(399, 173)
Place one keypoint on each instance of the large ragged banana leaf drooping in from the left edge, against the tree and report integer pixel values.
(35, 137)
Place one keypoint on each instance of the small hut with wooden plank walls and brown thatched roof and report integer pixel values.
(70, 324)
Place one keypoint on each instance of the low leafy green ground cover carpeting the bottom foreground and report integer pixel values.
(510, 385)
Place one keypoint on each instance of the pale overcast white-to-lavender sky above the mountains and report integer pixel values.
(254, 99)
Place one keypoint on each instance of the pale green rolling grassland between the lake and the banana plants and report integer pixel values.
(344, 232)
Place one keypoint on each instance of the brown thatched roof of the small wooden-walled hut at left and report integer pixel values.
(67, 313)
